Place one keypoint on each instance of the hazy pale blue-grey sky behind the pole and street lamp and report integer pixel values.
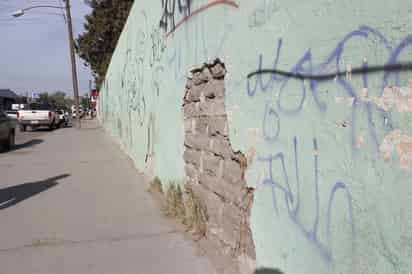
(34, 48)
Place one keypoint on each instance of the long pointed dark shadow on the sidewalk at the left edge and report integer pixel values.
(13, 195)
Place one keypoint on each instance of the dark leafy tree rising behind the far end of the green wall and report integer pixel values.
(103, 28)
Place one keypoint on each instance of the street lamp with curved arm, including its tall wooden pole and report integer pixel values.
(21, 12)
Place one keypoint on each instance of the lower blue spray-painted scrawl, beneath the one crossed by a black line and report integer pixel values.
(282, 191)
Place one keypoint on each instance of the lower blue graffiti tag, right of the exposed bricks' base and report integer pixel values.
(292, 200)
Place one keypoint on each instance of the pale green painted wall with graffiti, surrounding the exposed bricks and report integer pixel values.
(327, 131)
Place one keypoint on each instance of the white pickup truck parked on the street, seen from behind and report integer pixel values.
(37, 115)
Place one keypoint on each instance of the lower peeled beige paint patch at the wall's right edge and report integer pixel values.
(403, 145)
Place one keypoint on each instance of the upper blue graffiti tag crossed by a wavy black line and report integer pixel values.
(315, 74)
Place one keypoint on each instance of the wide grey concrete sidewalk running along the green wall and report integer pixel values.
(74, 204)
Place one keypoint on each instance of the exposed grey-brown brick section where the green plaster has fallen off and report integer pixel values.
(214, 171)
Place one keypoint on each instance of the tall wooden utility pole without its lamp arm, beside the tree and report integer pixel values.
(73, 61)
